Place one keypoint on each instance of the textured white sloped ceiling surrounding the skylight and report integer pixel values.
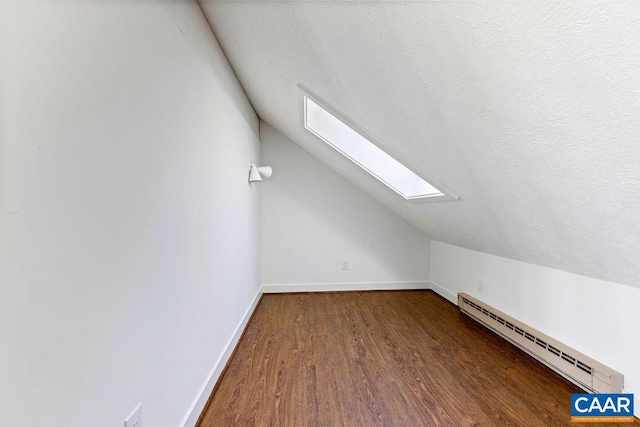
(529, 111)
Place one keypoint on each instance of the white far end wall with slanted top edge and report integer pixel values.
(313, 218)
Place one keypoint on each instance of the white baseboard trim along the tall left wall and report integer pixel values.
(191, 418)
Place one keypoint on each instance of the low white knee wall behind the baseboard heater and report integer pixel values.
(597, 318)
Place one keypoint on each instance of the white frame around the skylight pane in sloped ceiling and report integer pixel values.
(444, 195)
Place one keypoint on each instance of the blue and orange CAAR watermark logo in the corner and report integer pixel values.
(602, 408)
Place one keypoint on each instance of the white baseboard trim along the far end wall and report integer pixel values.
(333, 287)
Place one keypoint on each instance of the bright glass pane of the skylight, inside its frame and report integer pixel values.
(365, 153)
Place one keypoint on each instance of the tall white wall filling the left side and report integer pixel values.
(129, 236)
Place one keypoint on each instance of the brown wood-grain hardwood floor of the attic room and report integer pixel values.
(391, 358)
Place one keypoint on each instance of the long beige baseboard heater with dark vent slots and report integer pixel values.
(583, 371)
